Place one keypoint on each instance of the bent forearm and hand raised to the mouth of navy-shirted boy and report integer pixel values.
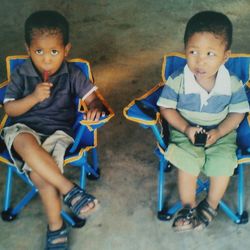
(21, 106)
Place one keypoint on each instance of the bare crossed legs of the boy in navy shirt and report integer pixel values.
(46, 172)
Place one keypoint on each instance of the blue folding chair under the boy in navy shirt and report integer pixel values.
(85, 143)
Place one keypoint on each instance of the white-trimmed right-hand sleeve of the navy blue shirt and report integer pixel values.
(81, 86)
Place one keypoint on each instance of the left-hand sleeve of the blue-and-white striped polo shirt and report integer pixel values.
(169, 94)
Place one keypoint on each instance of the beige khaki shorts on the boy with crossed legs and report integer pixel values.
(55, 144)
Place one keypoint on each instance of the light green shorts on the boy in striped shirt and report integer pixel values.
(217, 160)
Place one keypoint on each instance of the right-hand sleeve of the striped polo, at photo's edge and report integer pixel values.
(239, 101)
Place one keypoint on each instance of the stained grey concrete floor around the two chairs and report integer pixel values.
(124, 42)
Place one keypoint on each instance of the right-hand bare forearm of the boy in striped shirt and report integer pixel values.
(230, 123)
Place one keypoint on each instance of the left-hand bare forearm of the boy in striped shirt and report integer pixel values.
(173, 117)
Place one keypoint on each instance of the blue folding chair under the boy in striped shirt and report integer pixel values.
(144, 111)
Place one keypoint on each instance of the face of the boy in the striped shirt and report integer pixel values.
(205, 53)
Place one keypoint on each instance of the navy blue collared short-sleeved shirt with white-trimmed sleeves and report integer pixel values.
(59, 110)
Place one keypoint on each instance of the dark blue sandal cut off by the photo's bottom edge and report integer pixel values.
(57, 240)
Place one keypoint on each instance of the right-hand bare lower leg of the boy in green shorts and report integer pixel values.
(218, 186)
